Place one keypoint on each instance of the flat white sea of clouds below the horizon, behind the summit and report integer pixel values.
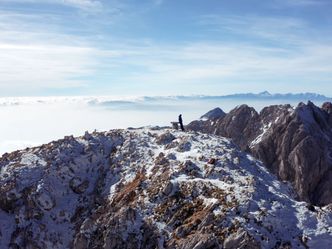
(32, 121)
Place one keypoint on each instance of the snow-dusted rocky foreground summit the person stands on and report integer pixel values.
(150, 188)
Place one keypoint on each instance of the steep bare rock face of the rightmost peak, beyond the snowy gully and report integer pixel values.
(301, 147)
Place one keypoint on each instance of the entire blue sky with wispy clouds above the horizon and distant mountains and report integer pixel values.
(164, 47)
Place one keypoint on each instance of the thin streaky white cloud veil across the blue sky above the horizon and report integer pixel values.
(38, 53)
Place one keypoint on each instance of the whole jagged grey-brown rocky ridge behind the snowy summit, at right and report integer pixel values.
(295, 144)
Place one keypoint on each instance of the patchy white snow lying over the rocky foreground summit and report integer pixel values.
(265, 206)
